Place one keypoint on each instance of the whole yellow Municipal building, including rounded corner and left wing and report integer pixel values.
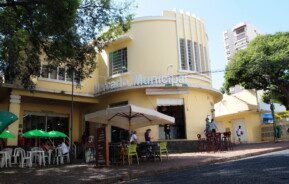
(161, 63)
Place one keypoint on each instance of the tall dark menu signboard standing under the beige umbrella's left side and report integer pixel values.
(101, 147)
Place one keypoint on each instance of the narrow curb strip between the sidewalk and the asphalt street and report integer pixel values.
(127, 177)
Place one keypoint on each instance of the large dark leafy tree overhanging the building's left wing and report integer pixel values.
(69, 33)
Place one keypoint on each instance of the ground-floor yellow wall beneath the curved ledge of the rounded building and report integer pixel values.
(196, 103)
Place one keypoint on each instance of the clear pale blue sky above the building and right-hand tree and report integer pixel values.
(268, 16)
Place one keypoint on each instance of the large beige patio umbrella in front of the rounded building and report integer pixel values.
(129, 117)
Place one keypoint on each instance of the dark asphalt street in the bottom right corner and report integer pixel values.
(267, 168)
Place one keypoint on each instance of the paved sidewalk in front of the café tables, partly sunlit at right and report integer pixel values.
(82, 173)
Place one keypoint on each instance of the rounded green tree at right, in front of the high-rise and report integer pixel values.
(263, 65)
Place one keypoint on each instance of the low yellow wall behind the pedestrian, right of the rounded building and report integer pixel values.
(252, 122)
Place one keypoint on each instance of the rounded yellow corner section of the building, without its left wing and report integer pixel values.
(159, 50)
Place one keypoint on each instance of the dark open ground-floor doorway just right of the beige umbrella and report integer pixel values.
(178, 130)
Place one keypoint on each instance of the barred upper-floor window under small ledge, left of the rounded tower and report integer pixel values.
(118, 62)
